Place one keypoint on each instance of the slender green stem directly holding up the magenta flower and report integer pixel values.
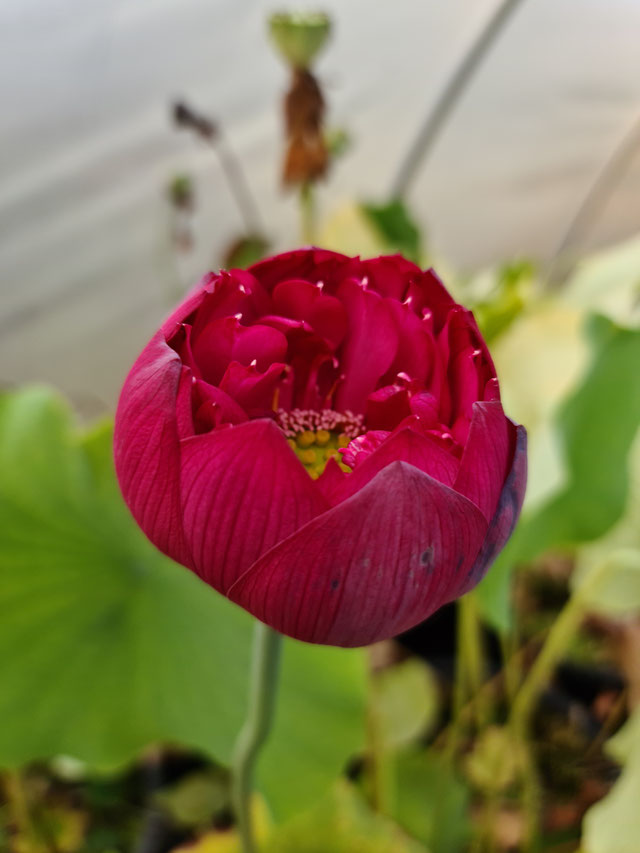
(262, 699)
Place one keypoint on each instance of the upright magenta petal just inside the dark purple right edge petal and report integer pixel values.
(487, 457)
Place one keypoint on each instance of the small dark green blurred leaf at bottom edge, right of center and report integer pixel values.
(432, 803)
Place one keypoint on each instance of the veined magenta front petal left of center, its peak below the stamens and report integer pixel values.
(243, 491)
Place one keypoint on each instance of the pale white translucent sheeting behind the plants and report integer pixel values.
(87, 148)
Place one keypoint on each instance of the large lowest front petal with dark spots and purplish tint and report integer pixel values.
(371, 567)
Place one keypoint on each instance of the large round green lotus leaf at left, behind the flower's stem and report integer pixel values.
(107, 646)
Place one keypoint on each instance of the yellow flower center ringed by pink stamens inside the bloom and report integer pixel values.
(317, 436)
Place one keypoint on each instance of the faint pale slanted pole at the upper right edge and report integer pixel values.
(597, 196)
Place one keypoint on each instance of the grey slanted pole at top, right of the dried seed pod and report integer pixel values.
(449, 96)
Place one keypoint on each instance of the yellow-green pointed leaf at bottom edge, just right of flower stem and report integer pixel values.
(341, 823)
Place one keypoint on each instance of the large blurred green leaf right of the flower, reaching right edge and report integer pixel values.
(595, 427)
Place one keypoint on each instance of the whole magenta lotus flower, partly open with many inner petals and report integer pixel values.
(321, 439)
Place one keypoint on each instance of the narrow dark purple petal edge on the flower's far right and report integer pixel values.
(507, 512)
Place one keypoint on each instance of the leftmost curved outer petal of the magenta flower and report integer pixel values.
(146, 445)
